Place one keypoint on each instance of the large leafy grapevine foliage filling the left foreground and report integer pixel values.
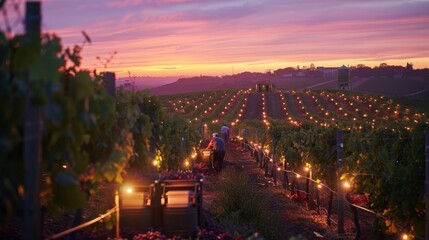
(86, 137)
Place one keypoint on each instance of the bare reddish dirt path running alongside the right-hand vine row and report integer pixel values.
(294, 218)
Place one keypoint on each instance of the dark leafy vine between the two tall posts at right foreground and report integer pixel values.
(390, 169)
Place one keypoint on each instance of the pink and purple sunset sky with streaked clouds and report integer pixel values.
(220, 37)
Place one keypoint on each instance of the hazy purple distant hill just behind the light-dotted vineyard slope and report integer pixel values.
(417, 86)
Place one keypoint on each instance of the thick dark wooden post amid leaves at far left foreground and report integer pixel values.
(32, 139)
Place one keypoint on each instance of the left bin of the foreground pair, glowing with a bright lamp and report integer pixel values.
(135, 206)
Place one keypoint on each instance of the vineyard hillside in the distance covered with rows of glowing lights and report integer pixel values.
(321, 107)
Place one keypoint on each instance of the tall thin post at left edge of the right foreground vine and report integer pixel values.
(340, 148)
